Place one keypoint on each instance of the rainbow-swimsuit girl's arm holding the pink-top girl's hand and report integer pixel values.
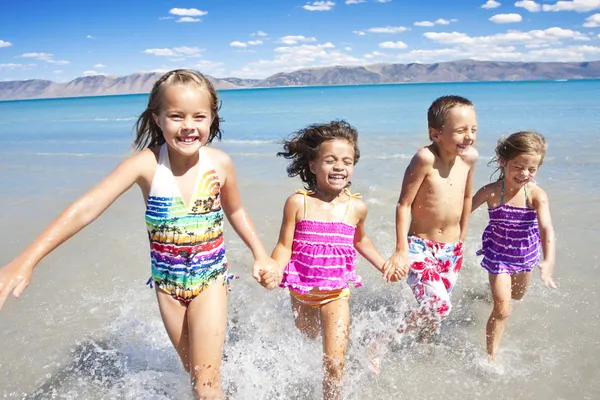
(242, 224)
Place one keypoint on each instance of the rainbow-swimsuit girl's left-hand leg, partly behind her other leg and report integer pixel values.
(174, 316)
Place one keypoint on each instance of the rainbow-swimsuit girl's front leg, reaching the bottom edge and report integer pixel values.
(207, 324)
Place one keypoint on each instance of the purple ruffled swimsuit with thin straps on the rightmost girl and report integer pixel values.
(511, 241)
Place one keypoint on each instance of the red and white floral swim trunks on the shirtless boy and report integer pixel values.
(433, 273)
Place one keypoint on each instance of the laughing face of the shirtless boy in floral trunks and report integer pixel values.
(459, 131)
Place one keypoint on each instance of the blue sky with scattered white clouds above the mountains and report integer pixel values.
(61, 40)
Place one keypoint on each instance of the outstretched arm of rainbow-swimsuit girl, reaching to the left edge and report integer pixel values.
(16, 275)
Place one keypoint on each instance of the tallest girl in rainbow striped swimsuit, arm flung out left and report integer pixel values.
(189, 188)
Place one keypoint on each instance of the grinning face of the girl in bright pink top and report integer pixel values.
(334, 165)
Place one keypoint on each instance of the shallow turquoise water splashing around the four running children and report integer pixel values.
(88, 327)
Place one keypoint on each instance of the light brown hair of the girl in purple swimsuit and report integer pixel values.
(518, 143)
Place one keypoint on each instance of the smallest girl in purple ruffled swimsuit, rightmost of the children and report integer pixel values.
(519, 225)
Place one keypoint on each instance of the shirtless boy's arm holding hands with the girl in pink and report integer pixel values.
(413, 178)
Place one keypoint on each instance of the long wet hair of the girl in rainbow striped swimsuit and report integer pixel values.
(148, 133)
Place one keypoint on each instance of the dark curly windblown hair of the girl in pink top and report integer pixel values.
(303, 147)
